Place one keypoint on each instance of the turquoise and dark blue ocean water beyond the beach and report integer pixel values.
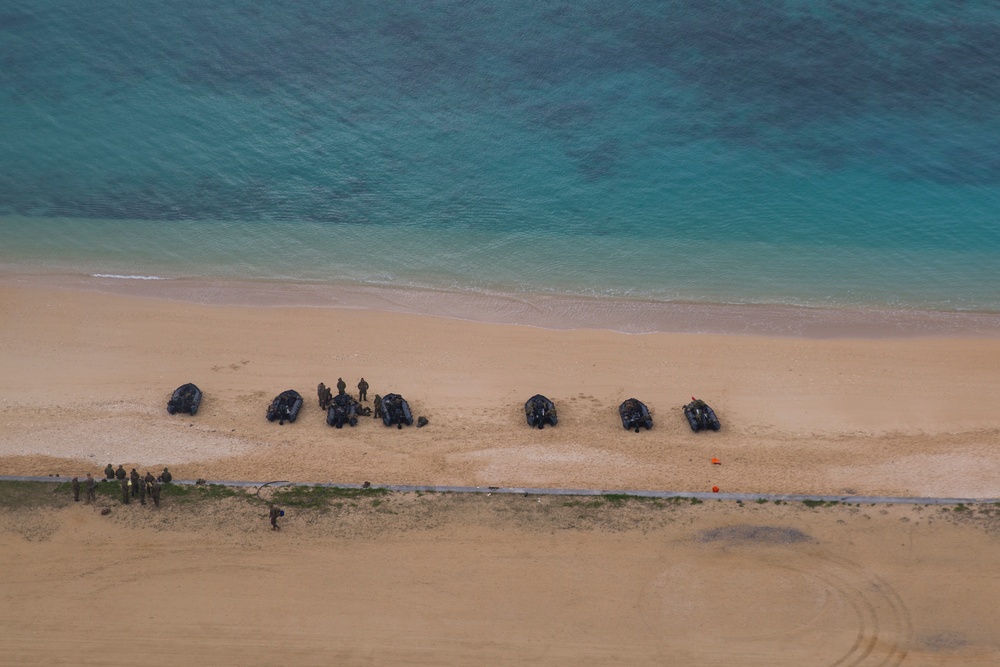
(839, 155)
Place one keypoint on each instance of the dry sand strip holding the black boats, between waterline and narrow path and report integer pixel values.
(87, 377)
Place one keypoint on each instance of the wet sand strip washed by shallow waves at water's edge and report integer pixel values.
(544, 311)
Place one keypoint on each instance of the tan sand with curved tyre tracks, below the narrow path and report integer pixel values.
(454, 579)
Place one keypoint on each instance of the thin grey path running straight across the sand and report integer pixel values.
(527, 491)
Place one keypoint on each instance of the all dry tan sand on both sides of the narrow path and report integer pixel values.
(85, 381)
